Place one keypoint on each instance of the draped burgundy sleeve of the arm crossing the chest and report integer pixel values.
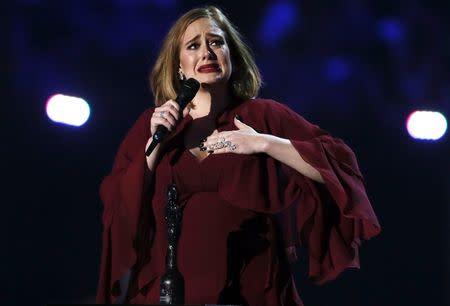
(328, 220)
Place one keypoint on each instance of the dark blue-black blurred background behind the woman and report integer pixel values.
(356, 68)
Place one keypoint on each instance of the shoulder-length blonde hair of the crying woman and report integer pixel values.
(245, 80)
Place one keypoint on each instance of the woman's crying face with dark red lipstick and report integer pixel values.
(204, 53)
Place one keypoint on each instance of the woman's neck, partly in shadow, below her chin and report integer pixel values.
(209, 102)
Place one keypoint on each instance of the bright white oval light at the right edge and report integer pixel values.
(426, 125)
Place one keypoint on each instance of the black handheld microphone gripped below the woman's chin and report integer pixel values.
(187, 93)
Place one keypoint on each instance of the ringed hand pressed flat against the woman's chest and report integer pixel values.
(244, 140)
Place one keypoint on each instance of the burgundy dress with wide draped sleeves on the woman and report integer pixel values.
(241, 213)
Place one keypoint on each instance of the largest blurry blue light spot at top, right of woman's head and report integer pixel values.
(279, 18)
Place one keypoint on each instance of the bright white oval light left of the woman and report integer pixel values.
(67, 110)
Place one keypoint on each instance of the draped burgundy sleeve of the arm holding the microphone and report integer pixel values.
(122, 193)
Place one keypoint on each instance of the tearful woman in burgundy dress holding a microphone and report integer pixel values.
(255, 180)
